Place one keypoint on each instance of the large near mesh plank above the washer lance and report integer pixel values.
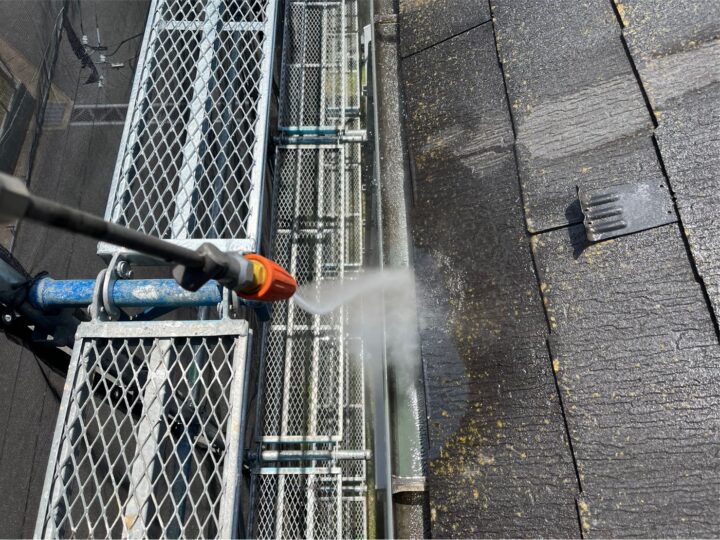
(192, 156)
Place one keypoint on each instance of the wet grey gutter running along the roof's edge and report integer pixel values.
(408, 436)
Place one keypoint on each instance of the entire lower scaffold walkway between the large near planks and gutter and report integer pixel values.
(311, 414)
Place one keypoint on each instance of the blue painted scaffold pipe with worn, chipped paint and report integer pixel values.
(48, 293)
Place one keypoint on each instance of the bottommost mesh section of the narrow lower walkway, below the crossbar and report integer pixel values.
(297, 503)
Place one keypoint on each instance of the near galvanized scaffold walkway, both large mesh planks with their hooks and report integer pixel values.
(149, 440)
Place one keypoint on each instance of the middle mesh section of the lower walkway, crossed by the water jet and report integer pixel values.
(304, 353)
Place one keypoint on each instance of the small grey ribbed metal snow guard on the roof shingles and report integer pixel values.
(625, 209)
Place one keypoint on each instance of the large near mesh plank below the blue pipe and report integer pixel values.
(148, 438)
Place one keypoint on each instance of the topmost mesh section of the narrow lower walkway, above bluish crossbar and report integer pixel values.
(313, 89)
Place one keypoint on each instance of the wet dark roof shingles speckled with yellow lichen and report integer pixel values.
(610, 431)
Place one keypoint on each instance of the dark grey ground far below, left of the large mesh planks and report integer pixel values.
(74, 165)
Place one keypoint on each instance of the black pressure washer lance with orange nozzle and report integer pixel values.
(250, 275)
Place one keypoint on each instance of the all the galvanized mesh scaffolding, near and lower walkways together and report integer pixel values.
(150, 437)
